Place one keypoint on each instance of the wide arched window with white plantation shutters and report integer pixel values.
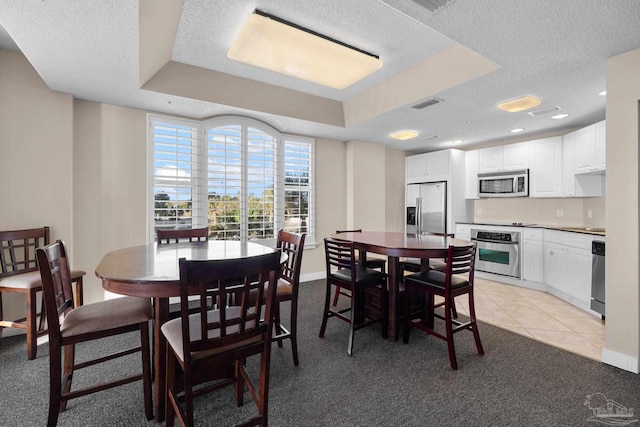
(239, 177)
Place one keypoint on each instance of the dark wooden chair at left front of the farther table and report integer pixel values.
(343, 271)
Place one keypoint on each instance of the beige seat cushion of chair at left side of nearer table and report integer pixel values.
(106, 315)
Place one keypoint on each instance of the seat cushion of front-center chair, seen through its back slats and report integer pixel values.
(172, 330)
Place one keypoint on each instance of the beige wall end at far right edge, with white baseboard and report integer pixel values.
(622, 186)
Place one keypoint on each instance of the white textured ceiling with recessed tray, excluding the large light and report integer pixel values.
(472, 54)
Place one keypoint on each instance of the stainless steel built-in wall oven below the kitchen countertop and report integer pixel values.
(498, 252)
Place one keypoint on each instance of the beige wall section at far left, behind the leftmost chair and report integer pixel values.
(35, 157)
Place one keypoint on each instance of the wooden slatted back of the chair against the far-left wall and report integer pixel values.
(18, 250)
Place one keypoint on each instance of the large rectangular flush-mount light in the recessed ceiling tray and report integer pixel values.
(277, 45)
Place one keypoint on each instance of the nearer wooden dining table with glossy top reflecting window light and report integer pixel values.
(152, 271)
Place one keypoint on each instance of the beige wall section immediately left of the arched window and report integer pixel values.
(110, 184)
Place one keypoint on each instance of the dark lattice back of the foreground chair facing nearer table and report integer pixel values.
(234, 326)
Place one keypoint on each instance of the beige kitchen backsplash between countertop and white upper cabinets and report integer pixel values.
(587, 212)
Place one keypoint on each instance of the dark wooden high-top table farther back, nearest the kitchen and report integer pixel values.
(396, 245)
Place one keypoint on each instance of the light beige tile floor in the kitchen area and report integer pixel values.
(537, 315)
